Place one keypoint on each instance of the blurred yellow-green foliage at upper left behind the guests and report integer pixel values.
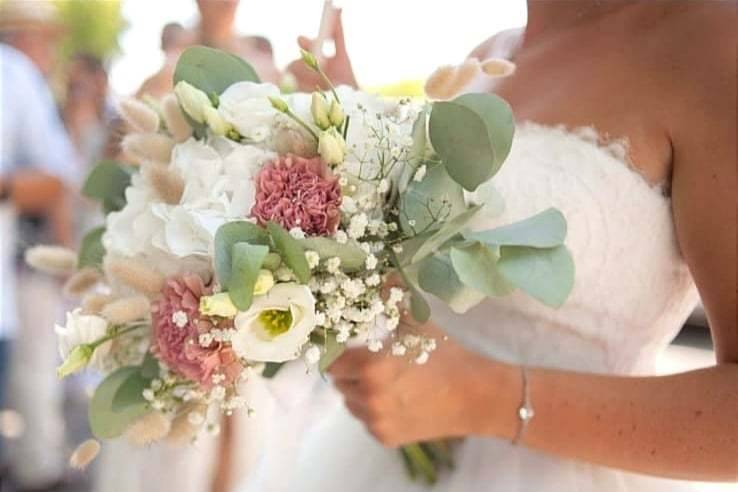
(92, 26)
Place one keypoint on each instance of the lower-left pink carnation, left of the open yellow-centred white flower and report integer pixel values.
(177, 326)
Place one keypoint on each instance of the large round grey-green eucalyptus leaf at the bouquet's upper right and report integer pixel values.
(473, 135)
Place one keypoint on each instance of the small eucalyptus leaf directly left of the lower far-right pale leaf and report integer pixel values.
(476, 266)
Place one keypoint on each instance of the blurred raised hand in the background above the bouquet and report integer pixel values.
(337, 67)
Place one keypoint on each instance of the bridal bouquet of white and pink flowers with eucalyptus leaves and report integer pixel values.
(259, 228)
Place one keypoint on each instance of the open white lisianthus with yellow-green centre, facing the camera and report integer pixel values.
(277, 324)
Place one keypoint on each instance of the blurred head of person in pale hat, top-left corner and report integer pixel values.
(33, 28)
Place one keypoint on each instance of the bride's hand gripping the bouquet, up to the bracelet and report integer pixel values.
(401, 402)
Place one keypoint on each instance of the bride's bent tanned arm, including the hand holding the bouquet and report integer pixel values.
(682, 426)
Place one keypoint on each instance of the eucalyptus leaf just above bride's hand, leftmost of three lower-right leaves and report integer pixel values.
(436, 276)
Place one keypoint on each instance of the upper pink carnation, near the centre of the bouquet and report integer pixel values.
(298, 192)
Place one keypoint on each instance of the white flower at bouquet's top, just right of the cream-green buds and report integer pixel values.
(246, 106)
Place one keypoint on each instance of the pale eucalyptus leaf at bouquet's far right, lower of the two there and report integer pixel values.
(545, 274)
